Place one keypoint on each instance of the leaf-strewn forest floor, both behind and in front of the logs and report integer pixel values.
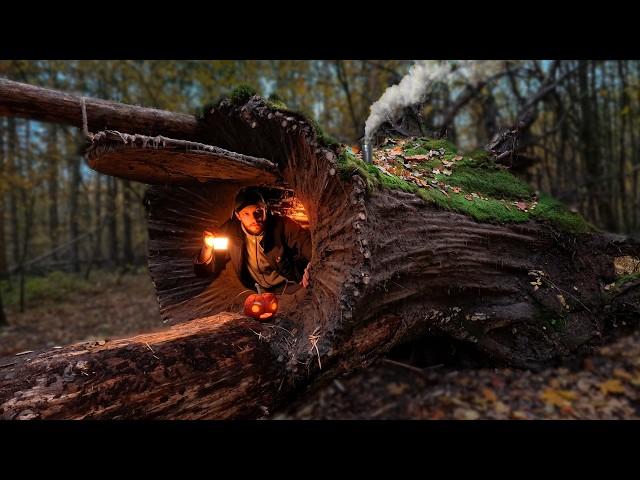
(605, 385)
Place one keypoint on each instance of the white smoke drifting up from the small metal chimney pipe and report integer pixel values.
(422, 75)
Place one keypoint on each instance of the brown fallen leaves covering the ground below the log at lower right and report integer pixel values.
(605, 385)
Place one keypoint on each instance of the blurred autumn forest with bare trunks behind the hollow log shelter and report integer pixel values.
(73, 241)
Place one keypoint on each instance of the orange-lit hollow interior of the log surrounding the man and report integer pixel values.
(178, 216)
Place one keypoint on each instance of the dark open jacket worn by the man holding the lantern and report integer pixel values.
(286, 245)
